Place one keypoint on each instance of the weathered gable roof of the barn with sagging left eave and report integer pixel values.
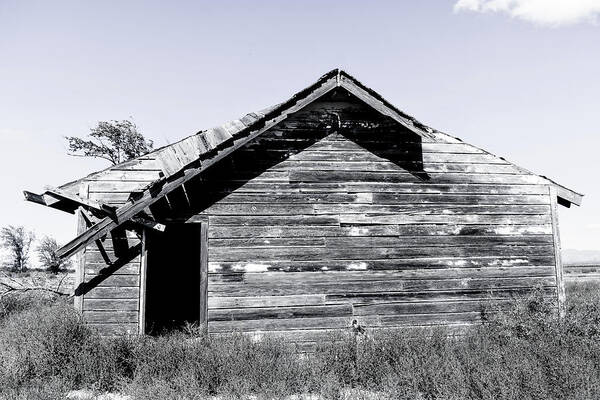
(171, 166)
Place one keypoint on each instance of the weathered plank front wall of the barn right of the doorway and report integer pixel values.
(310, 229)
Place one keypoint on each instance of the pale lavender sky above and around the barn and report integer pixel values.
(519, 78)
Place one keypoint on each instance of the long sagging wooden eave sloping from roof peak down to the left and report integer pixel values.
(149, 197)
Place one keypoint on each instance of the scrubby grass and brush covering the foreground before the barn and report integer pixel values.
(524, 353)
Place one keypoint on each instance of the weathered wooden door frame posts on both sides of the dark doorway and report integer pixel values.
(203, 317)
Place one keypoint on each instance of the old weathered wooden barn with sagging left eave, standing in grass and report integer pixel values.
(330, 207)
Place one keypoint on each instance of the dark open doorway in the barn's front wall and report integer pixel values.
(173, 278)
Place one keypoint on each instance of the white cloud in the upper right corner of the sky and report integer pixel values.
(541, 12)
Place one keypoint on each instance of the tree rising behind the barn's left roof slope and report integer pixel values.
(115, 141)
